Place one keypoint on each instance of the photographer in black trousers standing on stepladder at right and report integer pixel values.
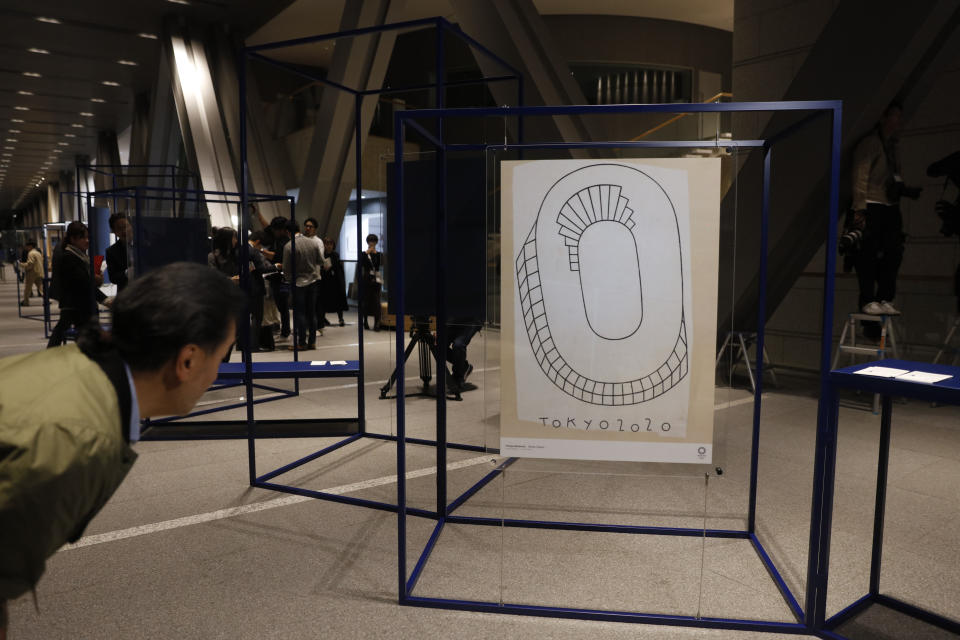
(877, 189)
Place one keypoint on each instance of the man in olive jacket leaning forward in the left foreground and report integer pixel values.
(63, 460)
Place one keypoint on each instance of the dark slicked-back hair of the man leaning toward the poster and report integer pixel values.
(168, 308)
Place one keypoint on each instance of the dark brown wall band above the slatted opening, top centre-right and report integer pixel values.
(618, 39)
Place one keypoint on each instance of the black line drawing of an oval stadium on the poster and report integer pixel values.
(601, 287)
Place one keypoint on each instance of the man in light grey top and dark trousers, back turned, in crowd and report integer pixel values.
(307, 269)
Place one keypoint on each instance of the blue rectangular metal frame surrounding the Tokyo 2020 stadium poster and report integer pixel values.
(807, 619)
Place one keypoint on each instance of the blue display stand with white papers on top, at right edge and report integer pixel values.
(942, 392)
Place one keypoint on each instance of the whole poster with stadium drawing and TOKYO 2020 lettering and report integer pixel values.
(609, 308)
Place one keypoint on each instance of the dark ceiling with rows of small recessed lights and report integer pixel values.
(70, 69)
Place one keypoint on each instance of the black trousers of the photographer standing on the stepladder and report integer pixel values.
(881, 252)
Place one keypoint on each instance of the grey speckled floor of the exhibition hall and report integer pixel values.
(315, 569)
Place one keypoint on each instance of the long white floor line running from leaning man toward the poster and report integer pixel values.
(231, 512)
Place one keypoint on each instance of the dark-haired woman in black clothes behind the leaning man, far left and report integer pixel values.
(73, 283)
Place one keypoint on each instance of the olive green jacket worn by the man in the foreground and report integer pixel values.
(62, 455)
